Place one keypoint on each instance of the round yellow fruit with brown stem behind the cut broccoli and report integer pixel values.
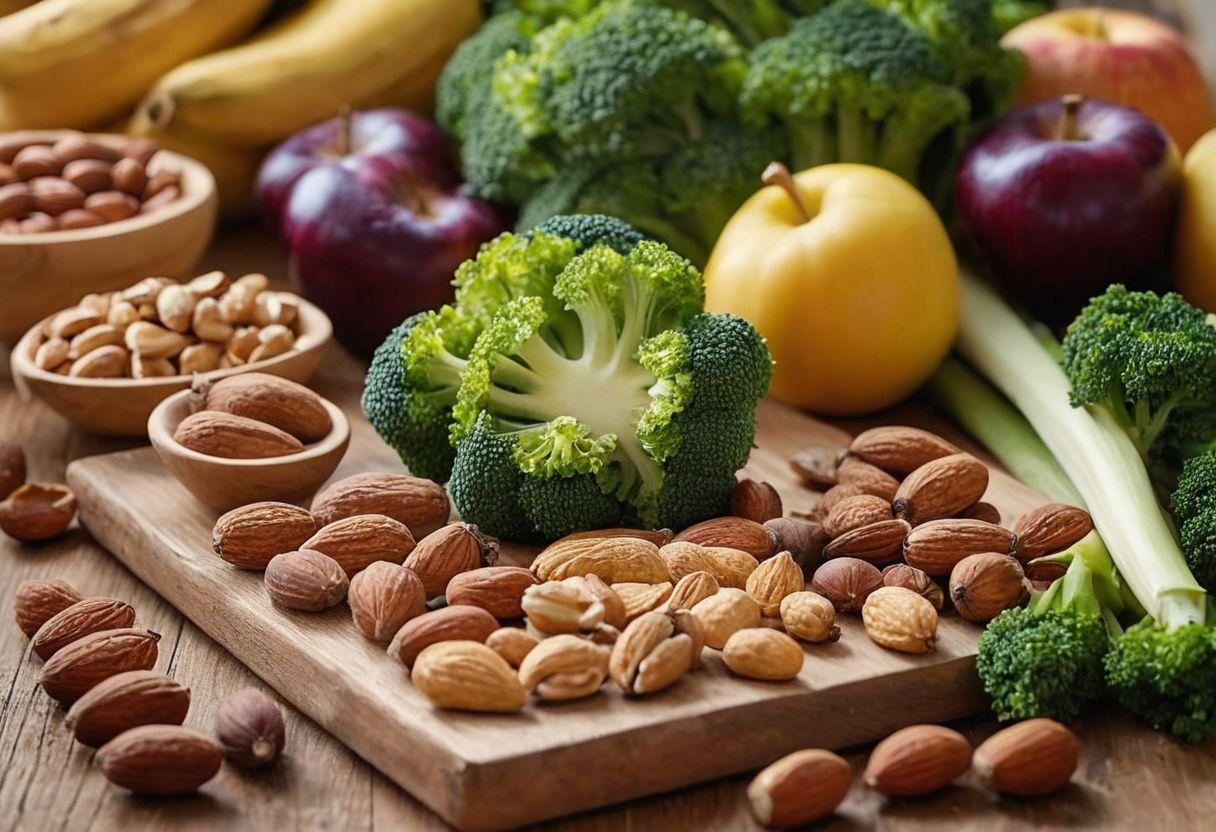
(851, 277)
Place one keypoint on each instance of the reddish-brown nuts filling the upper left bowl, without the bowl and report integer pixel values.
(78, 183)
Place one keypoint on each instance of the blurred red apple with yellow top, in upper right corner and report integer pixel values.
(1119, 57)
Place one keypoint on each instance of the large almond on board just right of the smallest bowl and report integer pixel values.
(420, 504)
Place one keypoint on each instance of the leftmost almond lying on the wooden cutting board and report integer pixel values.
(251, 536)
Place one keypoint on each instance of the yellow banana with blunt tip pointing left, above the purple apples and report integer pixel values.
(303, 70)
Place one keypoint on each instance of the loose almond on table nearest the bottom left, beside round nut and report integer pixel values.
(161, 760)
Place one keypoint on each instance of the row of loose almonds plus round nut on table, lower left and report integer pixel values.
(99, 666)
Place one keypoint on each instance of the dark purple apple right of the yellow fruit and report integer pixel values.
(1066, 198)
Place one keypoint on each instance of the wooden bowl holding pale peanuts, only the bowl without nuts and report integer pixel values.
(121, 407)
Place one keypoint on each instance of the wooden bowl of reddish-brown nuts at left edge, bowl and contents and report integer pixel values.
(86, 213)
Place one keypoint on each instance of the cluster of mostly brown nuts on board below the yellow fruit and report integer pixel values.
(903, 509)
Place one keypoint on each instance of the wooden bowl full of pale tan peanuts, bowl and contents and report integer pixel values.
(109, 361)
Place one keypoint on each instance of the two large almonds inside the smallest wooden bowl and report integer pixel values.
(252, 417)
